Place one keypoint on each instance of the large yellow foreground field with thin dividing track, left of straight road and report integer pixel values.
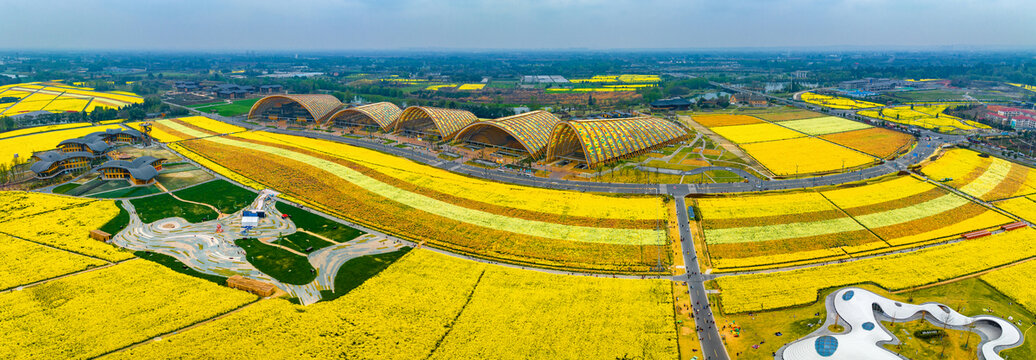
(428, 306)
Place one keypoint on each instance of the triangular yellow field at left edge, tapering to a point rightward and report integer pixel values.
(26, 263)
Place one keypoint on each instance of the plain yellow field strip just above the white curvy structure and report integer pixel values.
(895, 272)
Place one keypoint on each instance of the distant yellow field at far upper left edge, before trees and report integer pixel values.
(61, 98)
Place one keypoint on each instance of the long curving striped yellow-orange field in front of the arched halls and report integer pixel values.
(501, 221)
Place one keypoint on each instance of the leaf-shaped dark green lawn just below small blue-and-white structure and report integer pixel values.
(282, 265)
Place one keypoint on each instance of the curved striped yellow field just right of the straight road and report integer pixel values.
(796, 228)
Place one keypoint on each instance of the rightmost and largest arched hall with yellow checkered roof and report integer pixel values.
(599, 142)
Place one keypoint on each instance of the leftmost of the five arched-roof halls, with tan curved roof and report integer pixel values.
(309, 108)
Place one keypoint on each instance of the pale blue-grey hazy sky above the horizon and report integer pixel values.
(512, 24)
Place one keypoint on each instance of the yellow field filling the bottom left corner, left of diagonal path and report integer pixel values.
(95, 313)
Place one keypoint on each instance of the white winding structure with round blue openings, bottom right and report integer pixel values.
(861, 314)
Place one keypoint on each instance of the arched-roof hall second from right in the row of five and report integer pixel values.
(529, 132)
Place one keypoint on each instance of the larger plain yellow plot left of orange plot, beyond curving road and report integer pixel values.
(805, 156)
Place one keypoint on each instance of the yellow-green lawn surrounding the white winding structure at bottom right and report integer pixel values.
(970, 297)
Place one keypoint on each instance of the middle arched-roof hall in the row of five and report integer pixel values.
(439, 122)
